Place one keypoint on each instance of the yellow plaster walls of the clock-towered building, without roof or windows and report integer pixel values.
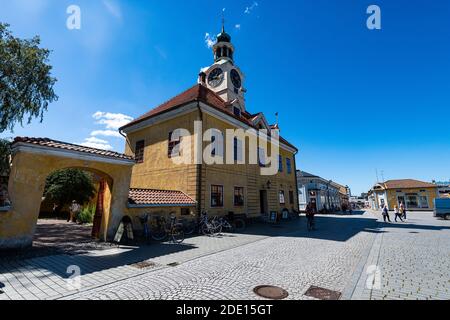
(159, 172)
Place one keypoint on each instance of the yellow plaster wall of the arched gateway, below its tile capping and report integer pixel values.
(26, 186)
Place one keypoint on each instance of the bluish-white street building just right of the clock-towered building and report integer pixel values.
(320, 192)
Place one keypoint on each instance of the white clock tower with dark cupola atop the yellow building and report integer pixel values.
(224, 77)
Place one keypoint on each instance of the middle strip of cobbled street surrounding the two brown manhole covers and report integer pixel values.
(294, 261)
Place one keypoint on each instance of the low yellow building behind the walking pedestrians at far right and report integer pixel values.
(415, 195)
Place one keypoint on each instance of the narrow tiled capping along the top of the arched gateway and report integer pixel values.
(45, 142)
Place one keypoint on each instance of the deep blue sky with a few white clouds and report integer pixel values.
(353, 100)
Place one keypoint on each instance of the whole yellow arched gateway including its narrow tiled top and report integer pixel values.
(33, 160)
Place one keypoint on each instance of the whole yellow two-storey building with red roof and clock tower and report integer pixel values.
(209, 108)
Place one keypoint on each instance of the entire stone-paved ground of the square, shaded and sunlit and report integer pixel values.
(413, 260)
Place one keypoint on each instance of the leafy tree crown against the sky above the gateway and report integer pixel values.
(26, 84)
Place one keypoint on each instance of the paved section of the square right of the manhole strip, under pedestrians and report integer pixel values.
(413, 260)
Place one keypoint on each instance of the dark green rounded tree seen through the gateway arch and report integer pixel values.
(64, 186)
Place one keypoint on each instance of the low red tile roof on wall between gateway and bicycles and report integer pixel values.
(150, 197)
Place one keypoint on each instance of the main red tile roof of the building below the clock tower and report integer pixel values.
(198, 93)
